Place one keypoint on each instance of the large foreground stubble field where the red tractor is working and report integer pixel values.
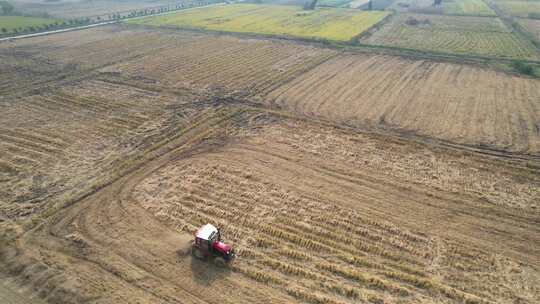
(285, 192)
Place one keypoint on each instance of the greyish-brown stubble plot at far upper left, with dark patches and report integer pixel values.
(33, 64)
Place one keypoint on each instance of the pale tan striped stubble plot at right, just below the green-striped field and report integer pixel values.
(453, 102)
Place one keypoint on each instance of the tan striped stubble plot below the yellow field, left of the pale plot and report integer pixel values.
(229, 65)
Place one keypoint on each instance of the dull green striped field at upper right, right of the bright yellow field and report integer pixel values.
(453, 34)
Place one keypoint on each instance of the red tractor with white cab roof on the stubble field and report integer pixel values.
(208, 243)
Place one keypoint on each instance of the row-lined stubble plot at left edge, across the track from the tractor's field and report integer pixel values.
(53, 144)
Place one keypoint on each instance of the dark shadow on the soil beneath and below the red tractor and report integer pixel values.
(205, 272)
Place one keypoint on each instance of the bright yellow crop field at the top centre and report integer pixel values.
(323, 23)
